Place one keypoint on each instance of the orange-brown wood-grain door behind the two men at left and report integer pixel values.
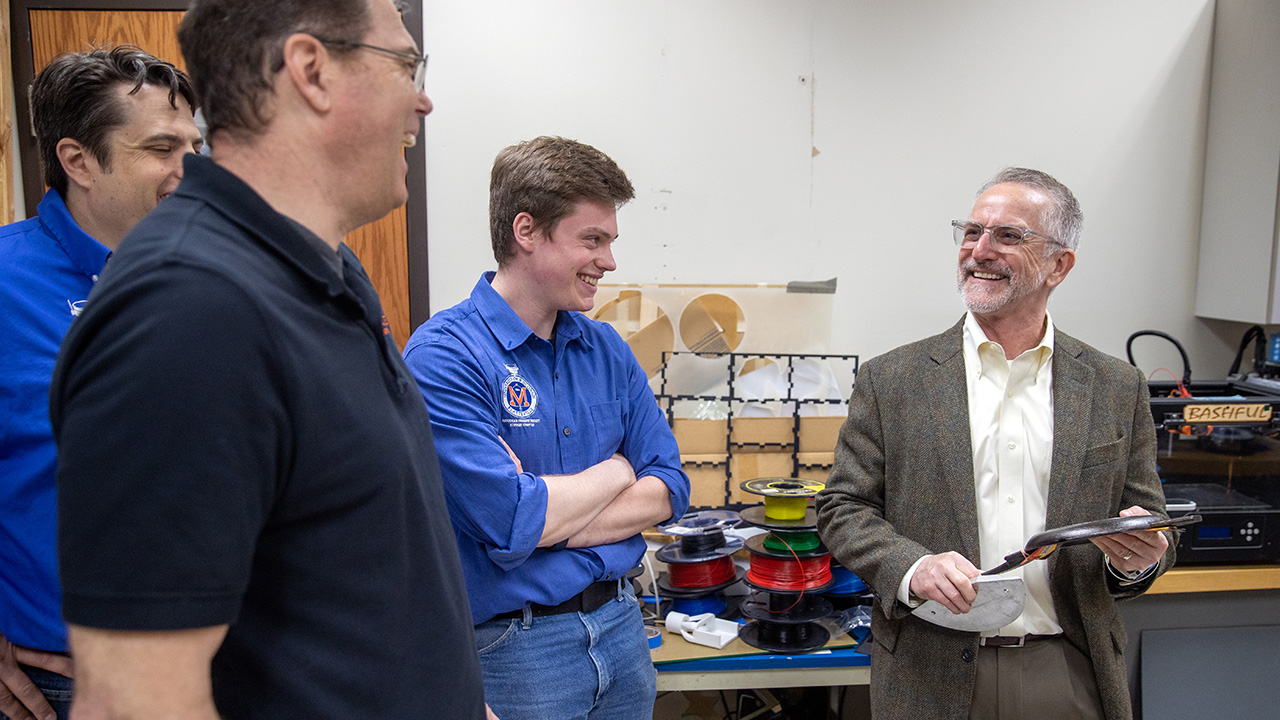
(382, 247)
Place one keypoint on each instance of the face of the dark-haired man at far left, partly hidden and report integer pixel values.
(144, 162)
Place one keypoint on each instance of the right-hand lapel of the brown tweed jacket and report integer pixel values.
(1073, 398)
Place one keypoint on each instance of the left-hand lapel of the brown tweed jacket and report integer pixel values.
(949, 411)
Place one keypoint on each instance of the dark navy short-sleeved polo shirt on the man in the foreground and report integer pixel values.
(241, 444)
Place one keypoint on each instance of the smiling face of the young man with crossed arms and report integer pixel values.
(568, 261)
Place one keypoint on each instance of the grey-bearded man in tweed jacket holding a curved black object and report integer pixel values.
(957, 450)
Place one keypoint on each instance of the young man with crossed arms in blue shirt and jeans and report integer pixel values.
(554, 450)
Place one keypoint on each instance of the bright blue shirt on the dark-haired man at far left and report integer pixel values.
(48, 268)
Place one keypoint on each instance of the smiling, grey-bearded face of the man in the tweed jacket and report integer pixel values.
(1011, 282)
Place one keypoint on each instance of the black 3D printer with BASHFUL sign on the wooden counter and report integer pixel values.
(1219, 457)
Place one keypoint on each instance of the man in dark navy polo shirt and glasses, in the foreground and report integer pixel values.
(252, 520)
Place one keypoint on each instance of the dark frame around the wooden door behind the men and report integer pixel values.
(34, 188)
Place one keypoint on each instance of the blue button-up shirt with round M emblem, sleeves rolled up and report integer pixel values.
(563, 407)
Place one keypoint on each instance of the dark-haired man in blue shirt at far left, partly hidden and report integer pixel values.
(112, 127)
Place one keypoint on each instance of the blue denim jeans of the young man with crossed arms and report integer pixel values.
(572, 667)
